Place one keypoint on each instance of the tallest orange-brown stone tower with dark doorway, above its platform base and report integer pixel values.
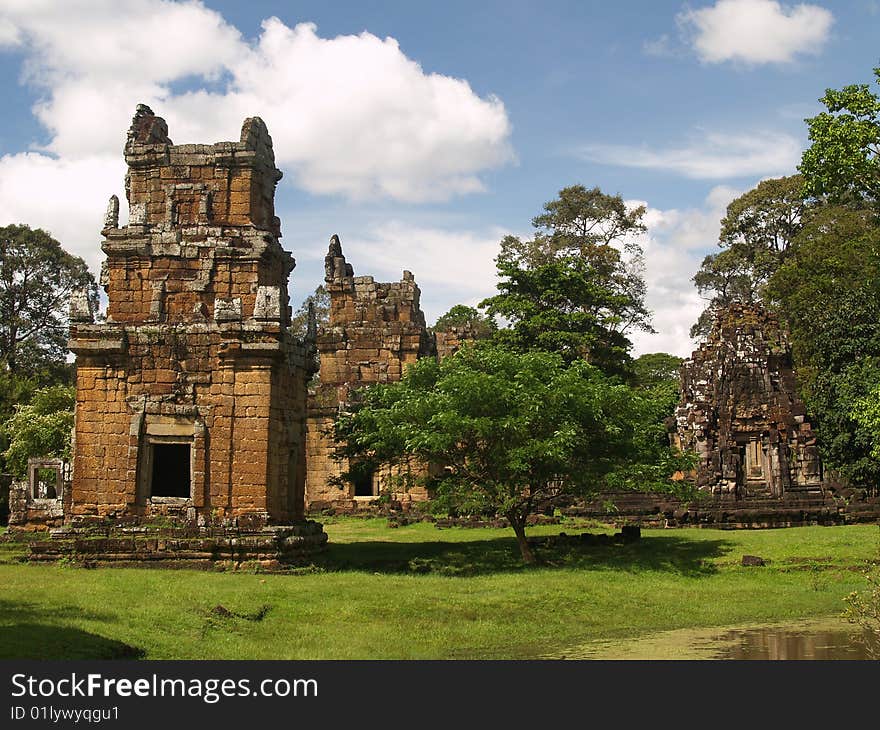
(191, 395)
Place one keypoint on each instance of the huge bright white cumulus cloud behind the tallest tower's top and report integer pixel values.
(350, 115)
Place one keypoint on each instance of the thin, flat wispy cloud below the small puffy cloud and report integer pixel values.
(714, 155)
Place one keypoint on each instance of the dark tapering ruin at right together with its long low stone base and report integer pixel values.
(758, 463)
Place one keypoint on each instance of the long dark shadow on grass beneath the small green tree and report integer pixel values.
(501, 555)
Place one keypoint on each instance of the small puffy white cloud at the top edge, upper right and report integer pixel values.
(756, 31)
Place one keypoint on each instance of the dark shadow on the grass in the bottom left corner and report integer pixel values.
(29, 631)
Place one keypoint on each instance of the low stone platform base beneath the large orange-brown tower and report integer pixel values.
(274, 548)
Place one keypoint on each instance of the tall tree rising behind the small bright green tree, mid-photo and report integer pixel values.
(576, 288)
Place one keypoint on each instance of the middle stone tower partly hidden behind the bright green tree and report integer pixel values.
(374, 331)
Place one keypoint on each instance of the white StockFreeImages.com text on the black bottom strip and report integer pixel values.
(208, 690)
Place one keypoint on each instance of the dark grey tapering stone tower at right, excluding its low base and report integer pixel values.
(740, 410)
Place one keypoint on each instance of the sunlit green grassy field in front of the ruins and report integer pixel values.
(417, 592)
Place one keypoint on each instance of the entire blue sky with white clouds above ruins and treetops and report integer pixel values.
(422, 133)
